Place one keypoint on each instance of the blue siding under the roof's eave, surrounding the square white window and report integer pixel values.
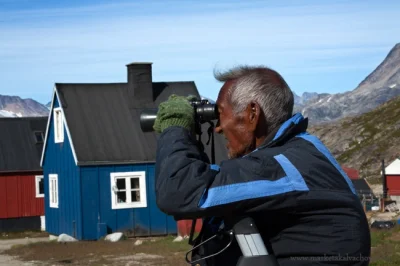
(96, 192)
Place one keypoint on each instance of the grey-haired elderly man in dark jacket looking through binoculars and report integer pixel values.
(302, 202)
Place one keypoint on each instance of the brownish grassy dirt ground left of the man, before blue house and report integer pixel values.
(153, 251)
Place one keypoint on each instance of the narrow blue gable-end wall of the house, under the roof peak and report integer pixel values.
(59, 160)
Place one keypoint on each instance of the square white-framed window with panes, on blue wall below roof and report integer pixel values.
(128, 190)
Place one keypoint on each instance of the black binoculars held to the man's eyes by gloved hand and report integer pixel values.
(204, 111)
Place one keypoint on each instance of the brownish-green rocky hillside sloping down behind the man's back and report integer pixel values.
(362, 141)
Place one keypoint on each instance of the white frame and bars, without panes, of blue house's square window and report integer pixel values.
(142, 190)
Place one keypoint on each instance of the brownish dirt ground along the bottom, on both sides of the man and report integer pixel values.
(153, 251)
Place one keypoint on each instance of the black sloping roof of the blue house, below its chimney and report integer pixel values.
(103, 121)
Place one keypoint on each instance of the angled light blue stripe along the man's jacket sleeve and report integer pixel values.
(293, 181)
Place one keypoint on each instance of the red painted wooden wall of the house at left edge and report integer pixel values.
(18, 196)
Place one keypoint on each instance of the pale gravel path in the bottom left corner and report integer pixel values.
(7, 244)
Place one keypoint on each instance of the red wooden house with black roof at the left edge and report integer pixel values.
(21, 177)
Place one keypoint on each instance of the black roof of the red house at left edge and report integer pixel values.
(20, 150)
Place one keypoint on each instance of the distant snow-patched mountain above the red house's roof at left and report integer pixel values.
(14, 106)
